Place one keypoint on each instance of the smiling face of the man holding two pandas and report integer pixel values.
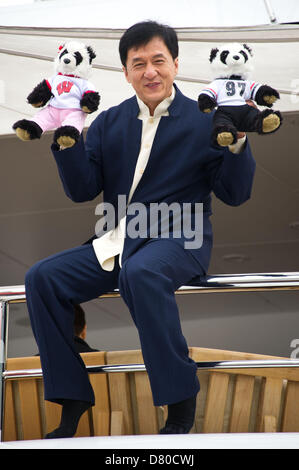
(151, 71)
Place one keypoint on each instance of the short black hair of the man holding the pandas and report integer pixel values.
(141, 33)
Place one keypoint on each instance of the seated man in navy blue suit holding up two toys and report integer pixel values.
(152, 149)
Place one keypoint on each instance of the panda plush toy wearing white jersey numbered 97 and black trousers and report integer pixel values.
(231, 65)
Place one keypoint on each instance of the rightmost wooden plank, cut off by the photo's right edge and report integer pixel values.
(290, 421)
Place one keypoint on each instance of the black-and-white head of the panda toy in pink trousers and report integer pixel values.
(74, 58)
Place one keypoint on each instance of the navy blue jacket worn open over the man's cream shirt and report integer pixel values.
(183, 167)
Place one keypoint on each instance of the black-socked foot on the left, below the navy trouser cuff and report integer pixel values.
(72, 411)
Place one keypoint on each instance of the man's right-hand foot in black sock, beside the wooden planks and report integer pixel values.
(180, 417)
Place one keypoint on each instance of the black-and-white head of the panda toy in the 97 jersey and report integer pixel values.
(231, 60)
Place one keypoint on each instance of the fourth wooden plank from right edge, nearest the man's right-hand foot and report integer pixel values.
(215, 404)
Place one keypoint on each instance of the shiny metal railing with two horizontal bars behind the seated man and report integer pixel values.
(211, 284)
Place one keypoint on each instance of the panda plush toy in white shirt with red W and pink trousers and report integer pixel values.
(69, 97)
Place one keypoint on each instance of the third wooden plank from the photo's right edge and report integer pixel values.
(242, 402)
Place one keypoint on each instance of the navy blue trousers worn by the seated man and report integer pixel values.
(147, 282)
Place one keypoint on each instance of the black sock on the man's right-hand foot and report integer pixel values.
(182, 413)
